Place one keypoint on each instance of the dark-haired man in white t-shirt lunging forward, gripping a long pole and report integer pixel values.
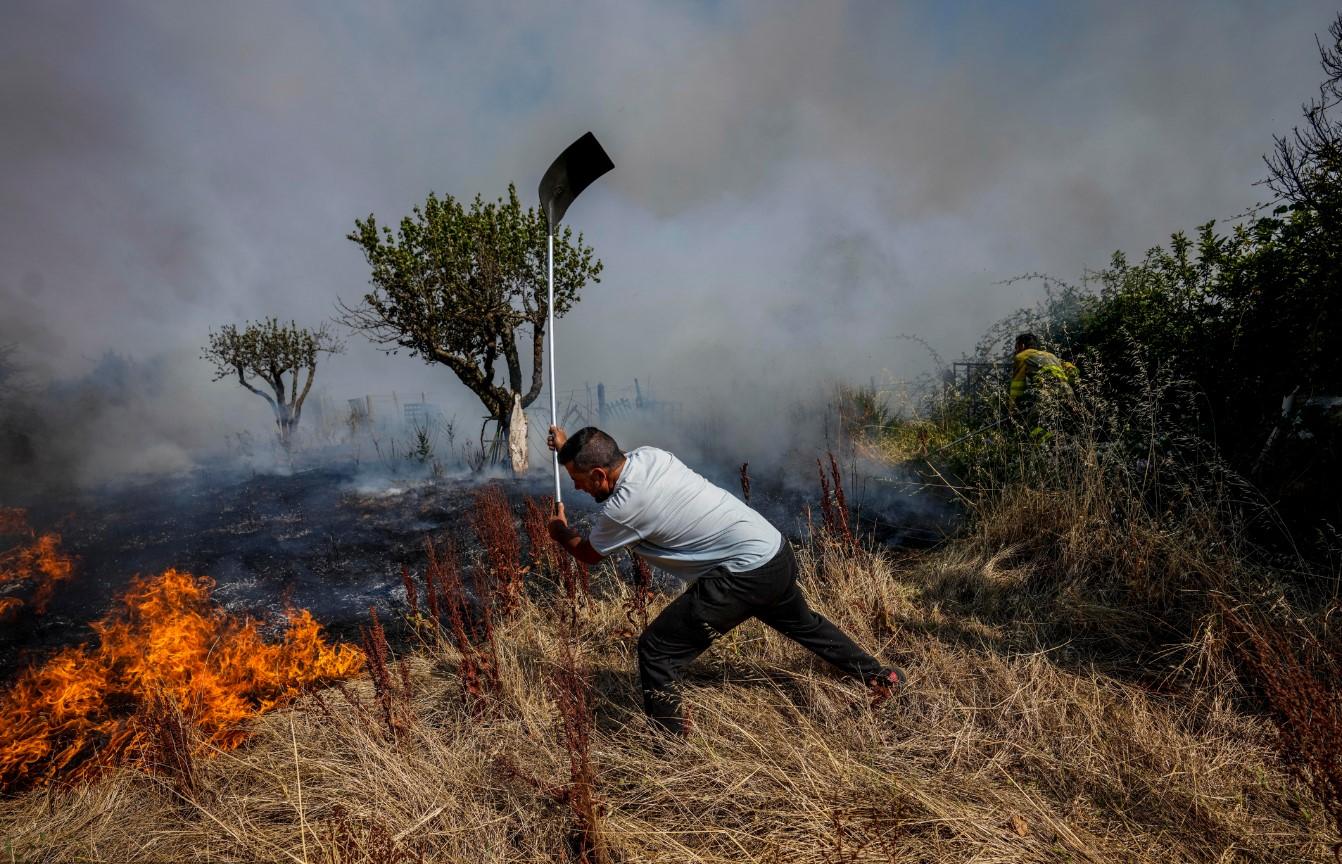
(740, 565)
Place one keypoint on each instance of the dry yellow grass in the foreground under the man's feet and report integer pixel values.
(999, 752)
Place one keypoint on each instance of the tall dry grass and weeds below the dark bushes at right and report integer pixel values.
(1123, 544)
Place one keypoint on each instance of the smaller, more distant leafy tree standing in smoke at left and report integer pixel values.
(276, 355)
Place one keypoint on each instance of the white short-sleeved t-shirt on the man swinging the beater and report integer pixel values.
(680, 521)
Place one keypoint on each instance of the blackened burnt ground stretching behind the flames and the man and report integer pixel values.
(331, 540)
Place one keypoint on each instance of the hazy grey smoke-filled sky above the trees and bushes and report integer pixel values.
(796, 184)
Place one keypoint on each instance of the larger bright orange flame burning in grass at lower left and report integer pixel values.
(91, 706)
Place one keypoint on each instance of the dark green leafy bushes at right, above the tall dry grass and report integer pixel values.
(1225, 328)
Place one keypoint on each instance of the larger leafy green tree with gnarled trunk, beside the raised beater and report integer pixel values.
(464, 285)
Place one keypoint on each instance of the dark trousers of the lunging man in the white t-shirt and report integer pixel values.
(719, 602)
